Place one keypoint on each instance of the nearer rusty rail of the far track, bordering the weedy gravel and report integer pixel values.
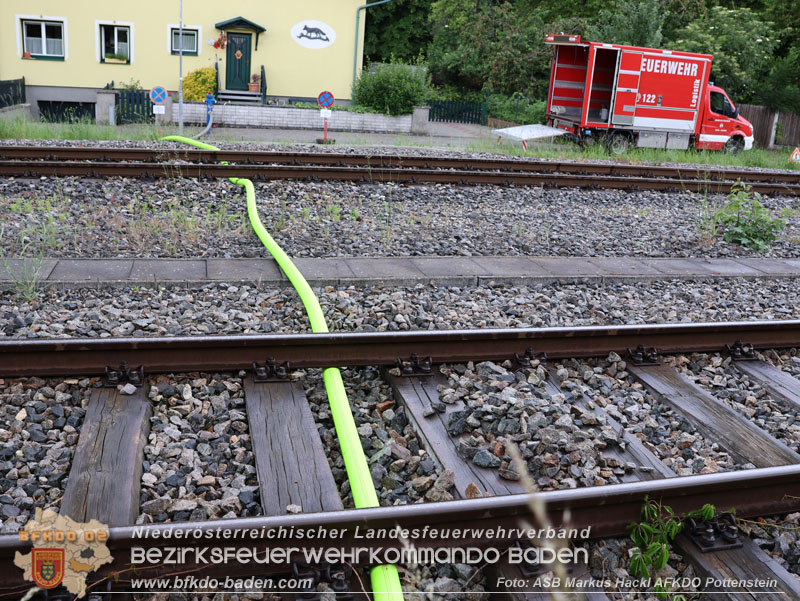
(378, 175)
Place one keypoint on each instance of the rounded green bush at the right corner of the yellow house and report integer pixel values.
(392, 89)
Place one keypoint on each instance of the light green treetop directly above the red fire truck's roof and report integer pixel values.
(631, 22)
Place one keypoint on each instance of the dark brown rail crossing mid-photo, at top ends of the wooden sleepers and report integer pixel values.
(84, 356)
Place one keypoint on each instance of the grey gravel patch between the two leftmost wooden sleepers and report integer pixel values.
(198, 463)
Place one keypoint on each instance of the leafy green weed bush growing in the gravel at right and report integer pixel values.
(746, 221)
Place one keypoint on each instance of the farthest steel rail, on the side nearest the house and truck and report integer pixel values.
(59, 153)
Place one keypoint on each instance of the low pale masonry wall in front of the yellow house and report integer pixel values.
(242, 115)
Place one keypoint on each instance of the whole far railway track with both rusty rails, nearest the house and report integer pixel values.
(107, 162)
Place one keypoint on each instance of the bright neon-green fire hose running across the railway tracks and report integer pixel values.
(385, 579)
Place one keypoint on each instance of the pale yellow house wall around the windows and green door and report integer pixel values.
(291, 69)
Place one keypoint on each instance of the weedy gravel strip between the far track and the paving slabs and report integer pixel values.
(73, 217)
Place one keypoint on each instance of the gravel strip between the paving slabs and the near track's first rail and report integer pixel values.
(227, 309)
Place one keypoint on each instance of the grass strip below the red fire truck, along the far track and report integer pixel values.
(769, 159)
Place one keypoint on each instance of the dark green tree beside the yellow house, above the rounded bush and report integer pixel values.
(397, 29)
